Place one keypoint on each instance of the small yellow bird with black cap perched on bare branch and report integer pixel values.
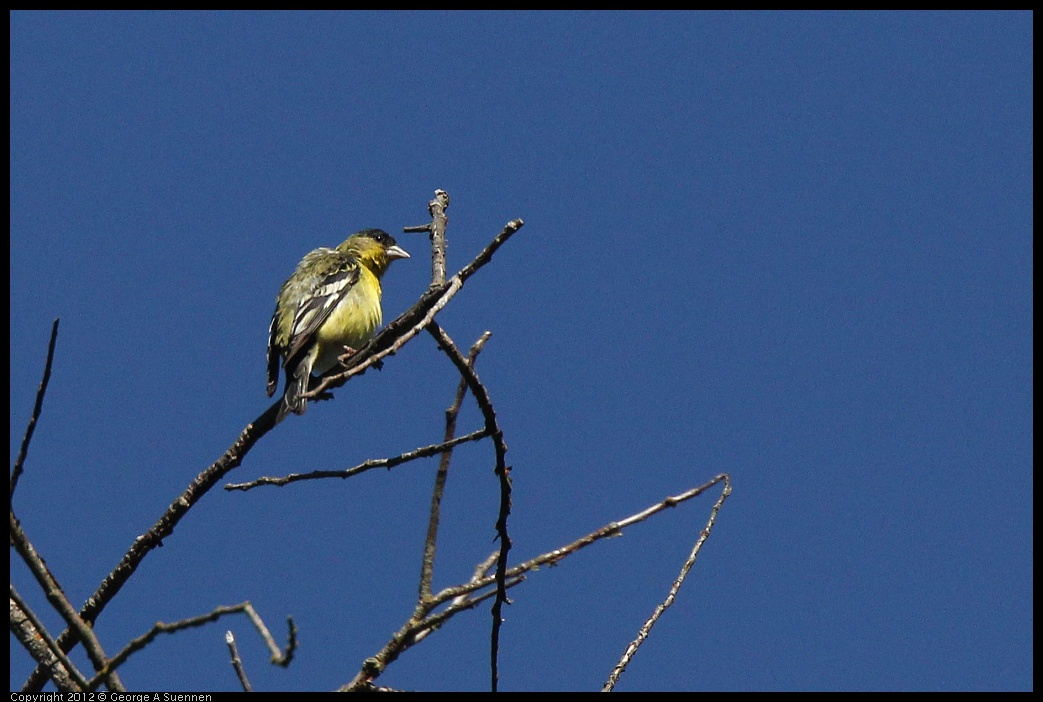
(330, 306)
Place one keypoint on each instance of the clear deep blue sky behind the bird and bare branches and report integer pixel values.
(795, 248)
